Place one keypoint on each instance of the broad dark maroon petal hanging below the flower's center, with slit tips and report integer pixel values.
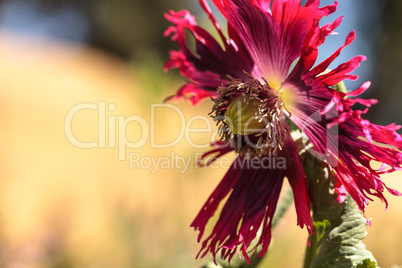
(253, 194)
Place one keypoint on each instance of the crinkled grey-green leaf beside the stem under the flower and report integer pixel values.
(338, 228)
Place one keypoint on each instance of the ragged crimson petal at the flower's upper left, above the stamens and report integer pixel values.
(208, 67)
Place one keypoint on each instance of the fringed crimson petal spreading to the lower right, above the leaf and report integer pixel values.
(346, 141)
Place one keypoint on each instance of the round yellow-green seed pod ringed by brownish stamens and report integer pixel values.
(251, 115)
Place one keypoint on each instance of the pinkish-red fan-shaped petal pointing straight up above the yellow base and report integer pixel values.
(274, 39)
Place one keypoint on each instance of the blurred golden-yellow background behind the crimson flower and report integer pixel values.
(63, 206)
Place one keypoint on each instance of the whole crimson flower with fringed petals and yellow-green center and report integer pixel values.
(255, 90)
